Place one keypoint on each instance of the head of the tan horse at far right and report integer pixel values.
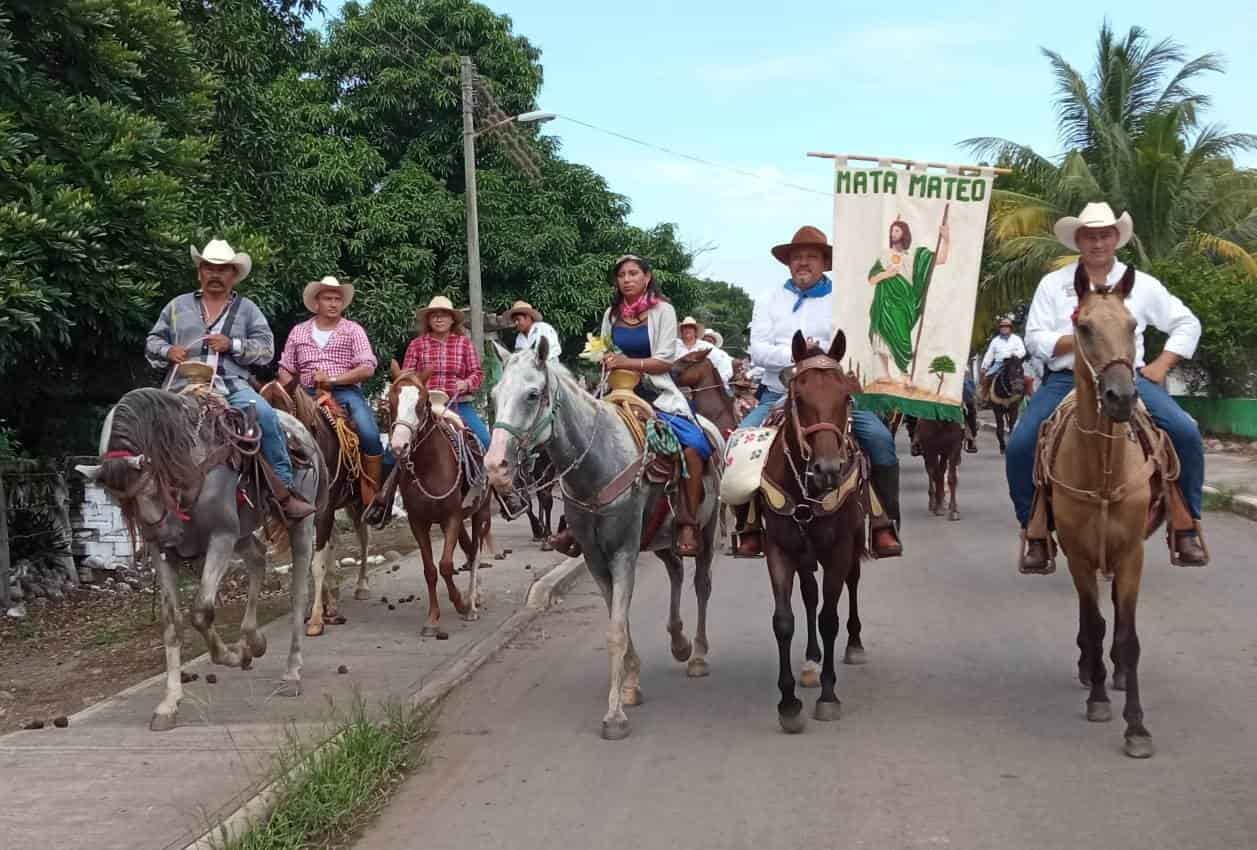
(1104, 341)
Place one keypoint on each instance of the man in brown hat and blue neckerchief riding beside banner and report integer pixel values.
(805, 304)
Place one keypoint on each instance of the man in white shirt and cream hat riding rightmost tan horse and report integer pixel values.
(1098, 236)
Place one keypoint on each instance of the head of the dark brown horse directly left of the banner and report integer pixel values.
(820, 398)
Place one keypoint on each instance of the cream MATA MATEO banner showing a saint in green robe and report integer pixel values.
(907, 258)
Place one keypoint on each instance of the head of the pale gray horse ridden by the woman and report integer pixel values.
(525, 403)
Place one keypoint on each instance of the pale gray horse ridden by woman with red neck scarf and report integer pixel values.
(541, 406)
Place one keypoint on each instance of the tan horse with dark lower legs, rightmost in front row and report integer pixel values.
(1101, 500)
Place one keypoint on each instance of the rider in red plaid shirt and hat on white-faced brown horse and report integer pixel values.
(444, 348)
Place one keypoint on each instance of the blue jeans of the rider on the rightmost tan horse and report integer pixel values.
(1182, 429)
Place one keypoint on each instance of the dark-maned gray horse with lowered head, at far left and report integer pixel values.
(154, 446)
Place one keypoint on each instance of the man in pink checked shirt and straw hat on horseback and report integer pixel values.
(331, 353)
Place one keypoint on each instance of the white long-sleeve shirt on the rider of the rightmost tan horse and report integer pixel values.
(1150, 302)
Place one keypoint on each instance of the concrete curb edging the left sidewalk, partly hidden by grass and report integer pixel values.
(541, 597)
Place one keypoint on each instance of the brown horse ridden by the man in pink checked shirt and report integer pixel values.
(344, 494)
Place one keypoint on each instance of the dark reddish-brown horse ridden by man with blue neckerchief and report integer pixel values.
(815, 515)
